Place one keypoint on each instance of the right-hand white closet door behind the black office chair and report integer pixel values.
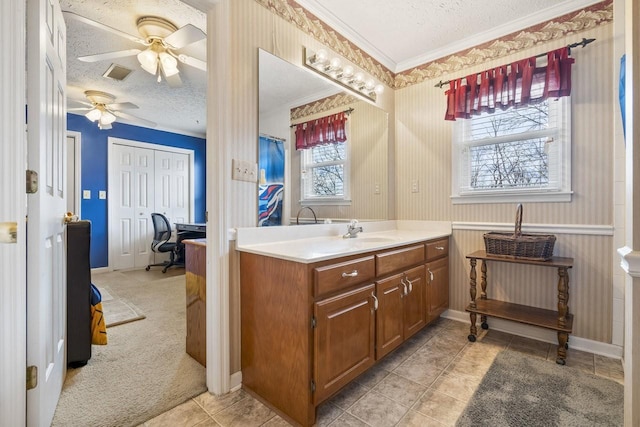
(172, 186)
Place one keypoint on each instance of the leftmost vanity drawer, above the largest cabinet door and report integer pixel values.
(339, 276)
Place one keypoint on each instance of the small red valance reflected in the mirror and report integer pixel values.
(325, 130)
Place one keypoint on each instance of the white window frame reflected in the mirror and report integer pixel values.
(306, 162)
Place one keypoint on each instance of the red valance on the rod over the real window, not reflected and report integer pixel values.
(509, 85)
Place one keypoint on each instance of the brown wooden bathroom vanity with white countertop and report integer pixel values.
(318, 310)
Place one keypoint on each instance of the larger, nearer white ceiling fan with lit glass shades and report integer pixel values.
(162, 40)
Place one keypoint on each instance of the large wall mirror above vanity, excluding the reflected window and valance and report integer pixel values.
(290, 94)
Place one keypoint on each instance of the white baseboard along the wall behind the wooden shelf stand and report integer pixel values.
(541, 334)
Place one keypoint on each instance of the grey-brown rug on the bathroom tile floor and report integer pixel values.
(520, 390)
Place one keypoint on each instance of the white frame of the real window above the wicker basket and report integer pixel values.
(560, 113)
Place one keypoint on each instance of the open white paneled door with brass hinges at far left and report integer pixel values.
(46, 258)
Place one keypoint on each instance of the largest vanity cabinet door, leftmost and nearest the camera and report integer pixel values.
(344, 339)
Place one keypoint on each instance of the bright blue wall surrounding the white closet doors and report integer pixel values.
(94, 173)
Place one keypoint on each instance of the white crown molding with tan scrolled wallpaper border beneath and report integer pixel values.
(323, 26)
